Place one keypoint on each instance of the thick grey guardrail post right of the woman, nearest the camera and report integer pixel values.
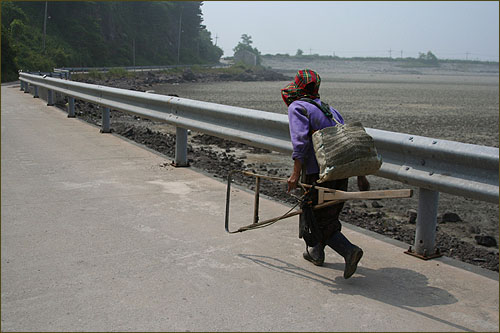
(425, 234)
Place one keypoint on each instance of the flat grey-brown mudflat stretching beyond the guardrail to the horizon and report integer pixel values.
(452, 102)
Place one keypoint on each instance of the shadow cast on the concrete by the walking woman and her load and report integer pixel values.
(400, 287)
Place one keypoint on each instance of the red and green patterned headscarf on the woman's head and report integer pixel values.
(306, 84)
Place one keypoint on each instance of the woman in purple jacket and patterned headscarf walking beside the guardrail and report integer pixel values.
(307, 114)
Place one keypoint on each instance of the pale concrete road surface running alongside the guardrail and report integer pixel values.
(100, 234)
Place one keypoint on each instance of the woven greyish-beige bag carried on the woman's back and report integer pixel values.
(345, 151)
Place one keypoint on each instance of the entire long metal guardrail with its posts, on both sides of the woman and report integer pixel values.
(433, 165)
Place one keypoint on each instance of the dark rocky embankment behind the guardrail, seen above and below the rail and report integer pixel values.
(218, 157)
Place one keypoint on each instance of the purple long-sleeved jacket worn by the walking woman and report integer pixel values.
(303, 119)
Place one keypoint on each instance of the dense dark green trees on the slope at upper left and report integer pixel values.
(102, 33)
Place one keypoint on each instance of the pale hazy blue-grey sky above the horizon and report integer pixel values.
(467, 30)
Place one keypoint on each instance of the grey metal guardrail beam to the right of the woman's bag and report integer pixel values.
(441, 165)
